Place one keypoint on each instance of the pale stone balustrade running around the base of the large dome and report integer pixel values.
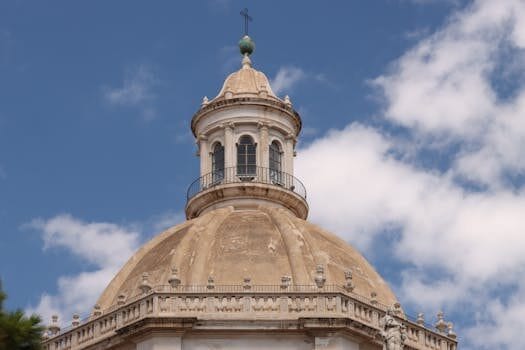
(241, 303)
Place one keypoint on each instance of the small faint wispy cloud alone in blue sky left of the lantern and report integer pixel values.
(136, 90)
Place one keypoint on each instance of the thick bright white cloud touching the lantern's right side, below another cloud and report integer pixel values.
(475, 240)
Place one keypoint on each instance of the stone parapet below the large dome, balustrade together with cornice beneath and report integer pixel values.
(290, 307)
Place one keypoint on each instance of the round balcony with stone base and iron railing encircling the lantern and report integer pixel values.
(242, 186)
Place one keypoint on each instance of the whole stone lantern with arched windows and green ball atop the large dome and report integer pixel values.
(246, 139)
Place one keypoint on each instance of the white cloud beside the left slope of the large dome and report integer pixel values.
(104, 246)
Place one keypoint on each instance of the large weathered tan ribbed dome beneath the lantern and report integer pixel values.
(230, 244)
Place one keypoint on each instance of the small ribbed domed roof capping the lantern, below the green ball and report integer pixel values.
(246, 82)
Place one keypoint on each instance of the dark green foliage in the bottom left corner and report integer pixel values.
(18, 332)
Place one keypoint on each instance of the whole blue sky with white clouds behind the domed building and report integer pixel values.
(413, 147)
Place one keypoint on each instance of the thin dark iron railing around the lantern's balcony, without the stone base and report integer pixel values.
(246, 174)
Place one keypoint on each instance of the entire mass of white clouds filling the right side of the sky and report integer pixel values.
(457, 248)
